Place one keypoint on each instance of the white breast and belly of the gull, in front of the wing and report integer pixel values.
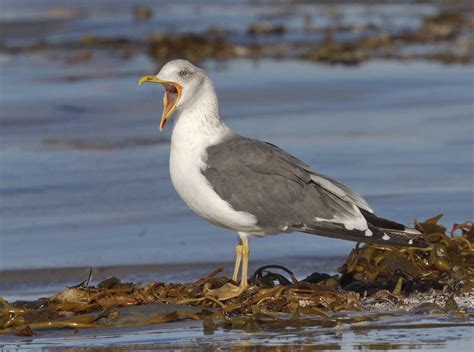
(187, 158)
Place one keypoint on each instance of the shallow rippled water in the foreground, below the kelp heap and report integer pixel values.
(408, 332)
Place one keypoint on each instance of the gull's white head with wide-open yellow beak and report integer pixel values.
(182, 81)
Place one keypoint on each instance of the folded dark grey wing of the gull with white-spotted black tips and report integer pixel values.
(285, 194)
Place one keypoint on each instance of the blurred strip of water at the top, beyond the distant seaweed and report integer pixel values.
(55, 22)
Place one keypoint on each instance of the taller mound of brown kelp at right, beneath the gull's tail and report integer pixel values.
(448, 263)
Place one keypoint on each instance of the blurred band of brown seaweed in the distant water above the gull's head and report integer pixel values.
(442, 37)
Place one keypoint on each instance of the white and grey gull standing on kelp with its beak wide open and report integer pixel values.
(253, 187)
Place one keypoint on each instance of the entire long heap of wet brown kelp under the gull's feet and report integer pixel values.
(434, 280)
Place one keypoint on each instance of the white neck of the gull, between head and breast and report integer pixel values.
(199, 125)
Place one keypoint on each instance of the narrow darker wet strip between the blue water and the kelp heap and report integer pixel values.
(21, 283)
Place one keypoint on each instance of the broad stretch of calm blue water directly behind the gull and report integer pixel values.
(401, 134)
